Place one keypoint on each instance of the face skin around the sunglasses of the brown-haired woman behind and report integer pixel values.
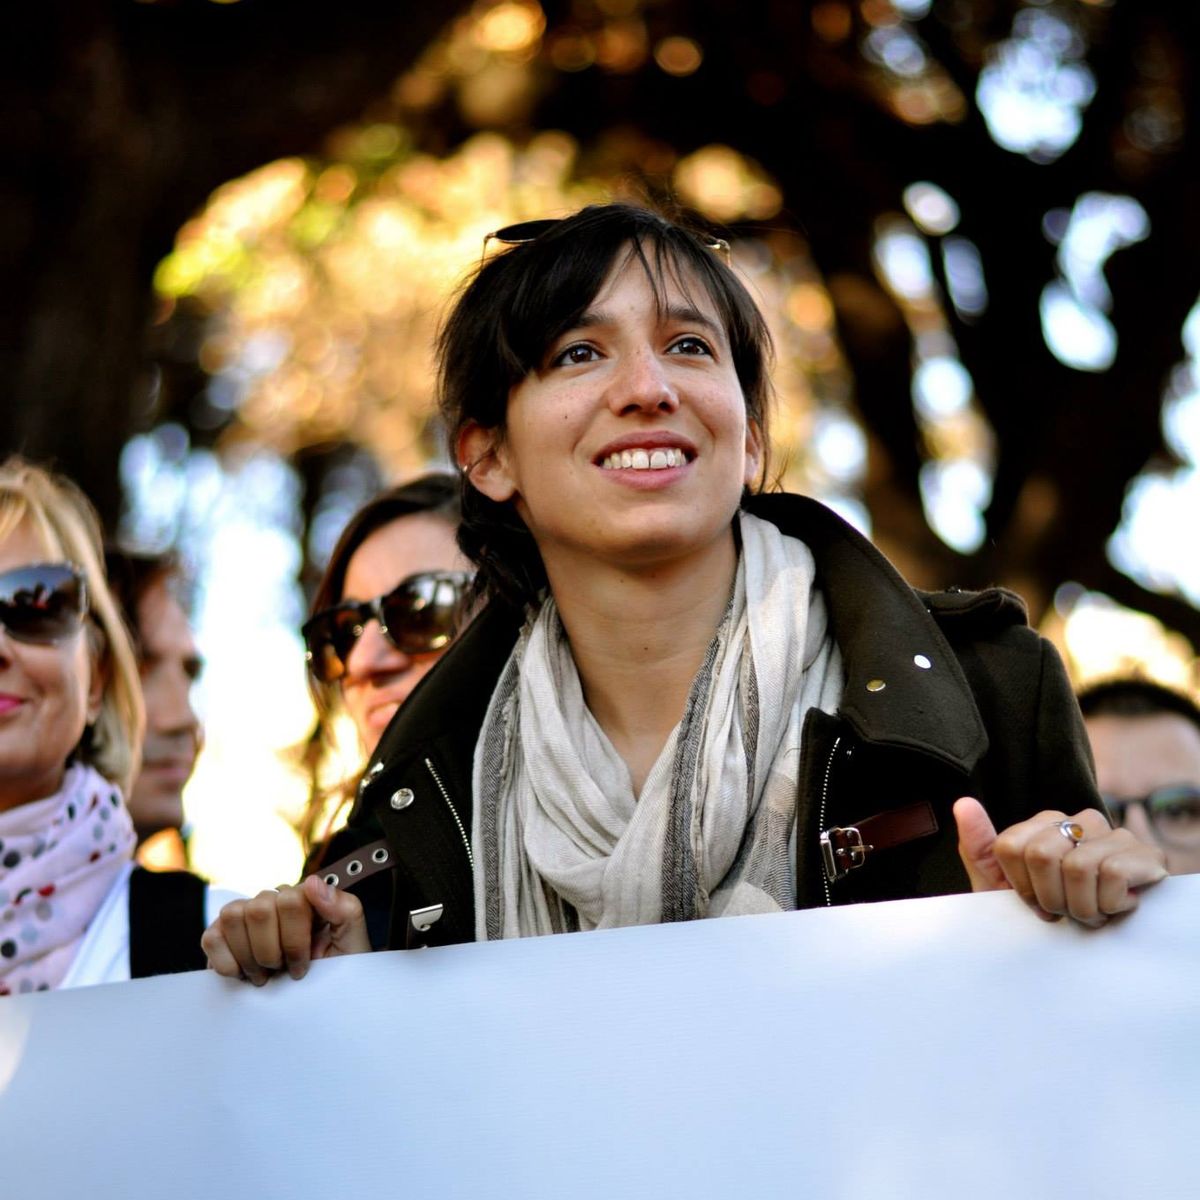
(379, 677)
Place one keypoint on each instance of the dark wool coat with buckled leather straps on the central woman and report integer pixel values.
(947, 694)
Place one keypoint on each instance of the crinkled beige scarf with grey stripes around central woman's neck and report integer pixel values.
(561, 841)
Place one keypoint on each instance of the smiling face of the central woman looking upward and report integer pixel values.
(631, 443)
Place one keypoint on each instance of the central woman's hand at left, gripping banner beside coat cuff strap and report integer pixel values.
(285, 929)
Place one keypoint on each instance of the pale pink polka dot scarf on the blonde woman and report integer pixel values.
(59, 859)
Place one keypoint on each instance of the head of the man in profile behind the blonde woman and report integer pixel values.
(170, 664)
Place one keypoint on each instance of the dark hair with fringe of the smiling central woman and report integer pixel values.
(520, 302)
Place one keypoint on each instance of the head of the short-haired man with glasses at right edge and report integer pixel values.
(1147, 743)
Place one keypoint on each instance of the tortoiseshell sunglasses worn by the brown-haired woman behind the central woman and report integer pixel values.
(421, 615)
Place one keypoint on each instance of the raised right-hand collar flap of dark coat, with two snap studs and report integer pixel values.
(886, 635)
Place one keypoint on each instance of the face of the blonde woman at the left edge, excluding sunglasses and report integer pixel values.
(47, 694)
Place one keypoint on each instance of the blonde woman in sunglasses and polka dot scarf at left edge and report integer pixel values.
(74, 911)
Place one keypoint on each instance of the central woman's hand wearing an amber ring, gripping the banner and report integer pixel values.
(1090, 880)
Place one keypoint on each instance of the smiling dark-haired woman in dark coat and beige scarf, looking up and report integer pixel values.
(685, 700)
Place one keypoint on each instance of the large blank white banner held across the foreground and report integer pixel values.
(955, 1047)
